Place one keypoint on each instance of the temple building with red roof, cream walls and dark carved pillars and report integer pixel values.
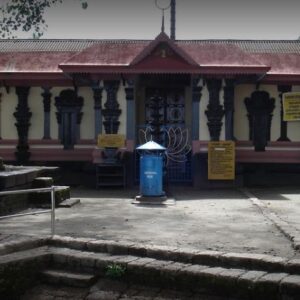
(57, 96)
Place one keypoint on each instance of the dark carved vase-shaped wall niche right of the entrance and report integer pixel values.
(260, 107)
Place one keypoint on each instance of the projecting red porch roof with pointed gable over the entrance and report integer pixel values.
(195, 54)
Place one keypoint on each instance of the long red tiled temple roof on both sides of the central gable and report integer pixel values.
(231, 56)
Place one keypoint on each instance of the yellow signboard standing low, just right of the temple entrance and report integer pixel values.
(221, 160)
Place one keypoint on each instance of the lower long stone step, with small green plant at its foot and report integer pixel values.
(198, 278)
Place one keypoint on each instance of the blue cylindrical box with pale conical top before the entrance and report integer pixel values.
(151, 170)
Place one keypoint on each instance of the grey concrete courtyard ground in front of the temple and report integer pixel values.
(223, 220)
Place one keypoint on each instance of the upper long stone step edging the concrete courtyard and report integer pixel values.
(250, 261)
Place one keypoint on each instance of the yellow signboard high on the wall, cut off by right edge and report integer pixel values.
(291, 106)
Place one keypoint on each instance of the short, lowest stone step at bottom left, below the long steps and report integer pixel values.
(66, 278)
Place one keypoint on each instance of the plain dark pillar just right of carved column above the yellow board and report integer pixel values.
(229, 109)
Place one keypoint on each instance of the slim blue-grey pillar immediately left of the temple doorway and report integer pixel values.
(130, 119)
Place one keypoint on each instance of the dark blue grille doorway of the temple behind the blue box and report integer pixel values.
(165, 122)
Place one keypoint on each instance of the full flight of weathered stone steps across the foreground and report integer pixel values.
(241, 276)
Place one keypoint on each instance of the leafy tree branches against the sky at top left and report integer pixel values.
(26, 15)
